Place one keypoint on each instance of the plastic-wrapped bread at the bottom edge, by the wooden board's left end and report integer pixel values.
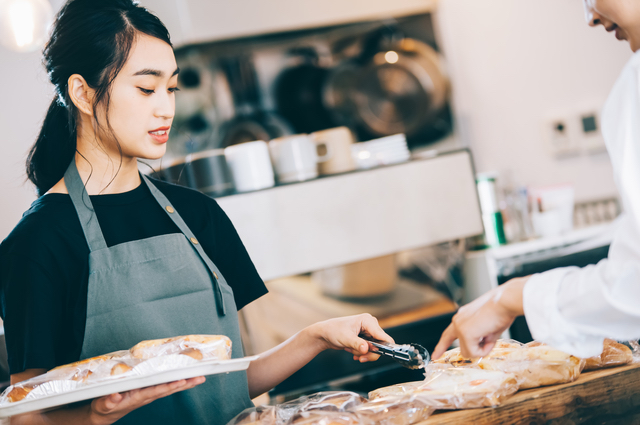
(394, 411)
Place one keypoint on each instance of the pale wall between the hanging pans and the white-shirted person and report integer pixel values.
(514, 62)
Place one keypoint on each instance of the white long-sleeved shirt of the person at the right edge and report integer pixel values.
(574, 309)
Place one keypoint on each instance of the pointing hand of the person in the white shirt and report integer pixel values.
(479, 324)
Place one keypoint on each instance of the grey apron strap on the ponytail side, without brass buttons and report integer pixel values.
(84, 208)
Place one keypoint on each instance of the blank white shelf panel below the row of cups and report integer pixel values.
(298, 228)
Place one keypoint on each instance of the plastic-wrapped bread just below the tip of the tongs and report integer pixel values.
(449, 387)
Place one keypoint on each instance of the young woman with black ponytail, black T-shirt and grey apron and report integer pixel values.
(105, 257)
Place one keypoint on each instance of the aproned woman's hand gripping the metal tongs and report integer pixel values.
(342, 334)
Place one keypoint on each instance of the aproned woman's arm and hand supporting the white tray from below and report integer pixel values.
(101, 411)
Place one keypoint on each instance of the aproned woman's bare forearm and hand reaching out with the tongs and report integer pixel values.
(277, 364)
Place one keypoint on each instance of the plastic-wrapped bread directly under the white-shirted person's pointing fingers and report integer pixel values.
(535, 365)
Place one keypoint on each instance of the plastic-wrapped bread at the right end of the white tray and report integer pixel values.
(199, 347)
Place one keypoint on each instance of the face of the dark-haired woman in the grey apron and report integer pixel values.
(142, 101)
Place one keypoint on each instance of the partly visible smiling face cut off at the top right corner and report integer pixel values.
(619, 16)
